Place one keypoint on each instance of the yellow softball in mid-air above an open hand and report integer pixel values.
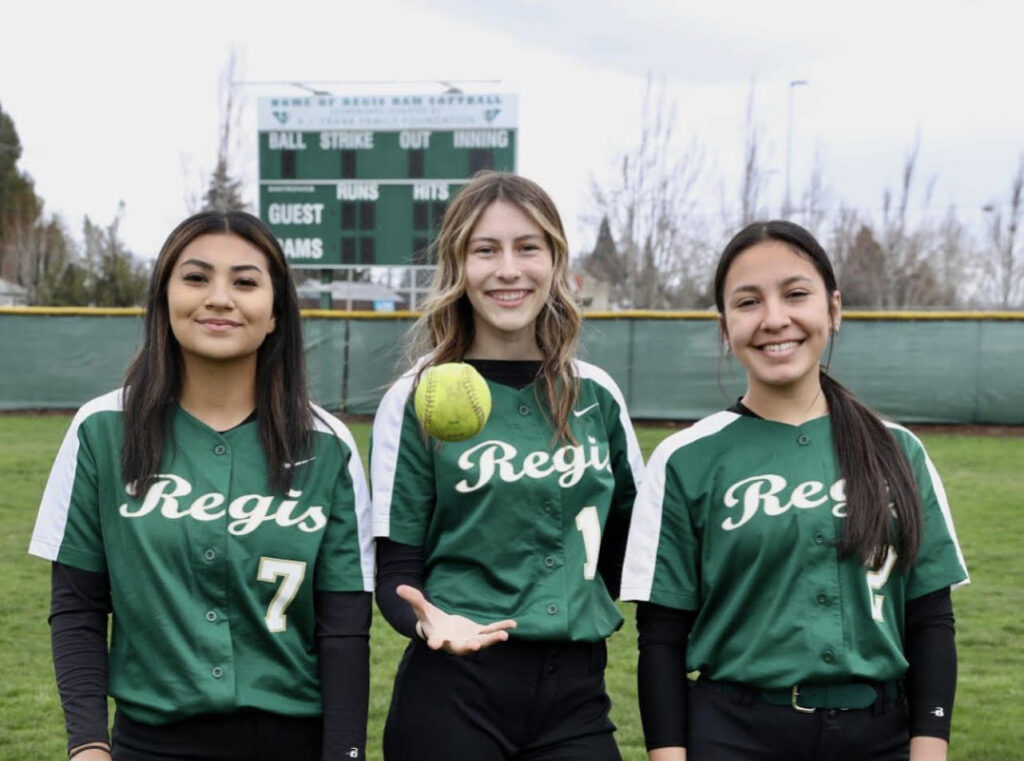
(453, 402)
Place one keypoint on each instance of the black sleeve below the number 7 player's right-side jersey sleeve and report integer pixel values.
(344, 658)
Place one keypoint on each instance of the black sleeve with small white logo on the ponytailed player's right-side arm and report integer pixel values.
(931, 652)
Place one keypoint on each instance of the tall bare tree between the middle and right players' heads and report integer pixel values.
(651, 208)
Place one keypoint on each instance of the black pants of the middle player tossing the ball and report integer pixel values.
(517, 700)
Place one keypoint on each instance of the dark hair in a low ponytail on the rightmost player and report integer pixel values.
(880, 486)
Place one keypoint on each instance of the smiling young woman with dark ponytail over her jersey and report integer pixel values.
(796, 551)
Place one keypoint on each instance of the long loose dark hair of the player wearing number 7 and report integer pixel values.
(153, 383)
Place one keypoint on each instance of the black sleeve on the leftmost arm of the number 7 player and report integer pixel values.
(80, 608)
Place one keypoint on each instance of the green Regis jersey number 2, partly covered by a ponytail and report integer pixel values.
(739, 520)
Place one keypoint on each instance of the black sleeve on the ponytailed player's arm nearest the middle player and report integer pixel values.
(662, 673)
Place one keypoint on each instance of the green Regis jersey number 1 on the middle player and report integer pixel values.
(510, 522)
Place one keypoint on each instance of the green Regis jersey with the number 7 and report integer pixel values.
(212, 575)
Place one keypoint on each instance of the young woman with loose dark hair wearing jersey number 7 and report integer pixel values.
(222, 519)
